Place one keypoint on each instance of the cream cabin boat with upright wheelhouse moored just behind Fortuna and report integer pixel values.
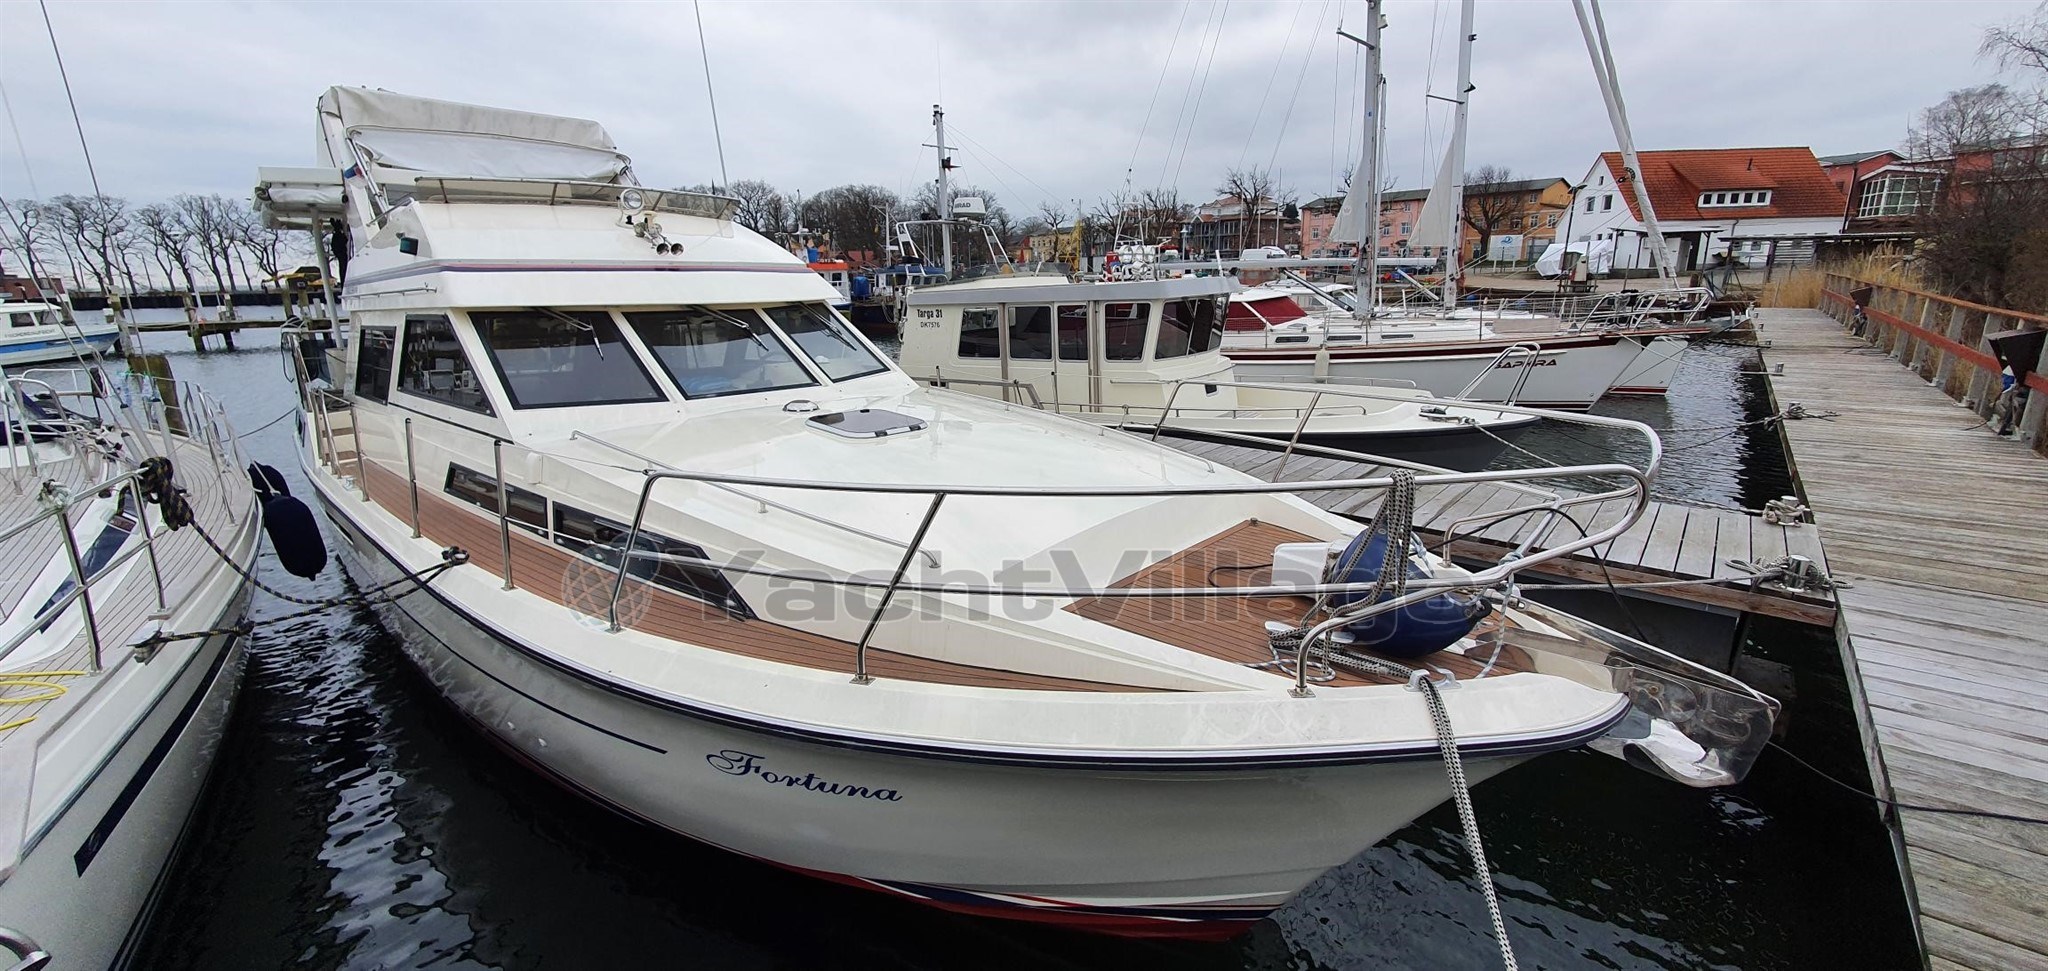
(1146, 353)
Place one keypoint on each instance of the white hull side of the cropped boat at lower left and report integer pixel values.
(85, 888)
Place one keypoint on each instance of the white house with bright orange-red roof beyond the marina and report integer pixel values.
(1707, 204)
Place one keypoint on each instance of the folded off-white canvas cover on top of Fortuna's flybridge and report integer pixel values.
(445, 138)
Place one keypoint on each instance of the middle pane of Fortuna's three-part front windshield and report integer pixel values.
(718, 353)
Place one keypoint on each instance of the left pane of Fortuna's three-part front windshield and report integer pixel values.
(552, 360)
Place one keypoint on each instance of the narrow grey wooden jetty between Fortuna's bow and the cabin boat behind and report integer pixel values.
(1672, 542)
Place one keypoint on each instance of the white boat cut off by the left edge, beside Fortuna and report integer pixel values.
(120, 648)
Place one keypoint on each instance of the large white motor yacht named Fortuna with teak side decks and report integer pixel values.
(736, 575)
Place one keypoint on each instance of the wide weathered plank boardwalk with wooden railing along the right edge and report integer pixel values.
(1938, 525)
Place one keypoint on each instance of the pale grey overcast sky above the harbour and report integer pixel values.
(1046, 99)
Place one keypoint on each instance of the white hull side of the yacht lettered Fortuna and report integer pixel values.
(1107, 849)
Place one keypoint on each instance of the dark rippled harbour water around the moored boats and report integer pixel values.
(355, 822)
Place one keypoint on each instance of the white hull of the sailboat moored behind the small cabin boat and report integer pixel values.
(1568, 378)
